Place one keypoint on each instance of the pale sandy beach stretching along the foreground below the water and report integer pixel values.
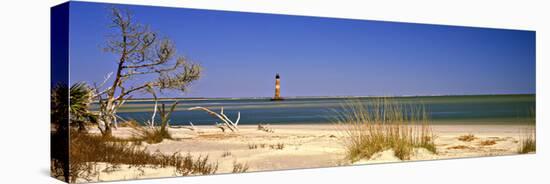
(305, 146)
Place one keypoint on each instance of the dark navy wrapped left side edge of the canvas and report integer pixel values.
(59, 35)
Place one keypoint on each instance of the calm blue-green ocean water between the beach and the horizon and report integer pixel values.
(479, 109)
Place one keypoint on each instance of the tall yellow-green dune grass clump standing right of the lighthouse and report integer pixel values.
(384, 124)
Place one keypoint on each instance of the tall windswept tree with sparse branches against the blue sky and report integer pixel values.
(141, 55)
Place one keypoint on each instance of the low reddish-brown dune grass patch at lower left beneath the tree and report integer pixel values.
(87, 150)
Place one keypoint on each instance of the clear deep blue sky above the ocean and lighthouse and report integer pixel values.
(242, 52)
